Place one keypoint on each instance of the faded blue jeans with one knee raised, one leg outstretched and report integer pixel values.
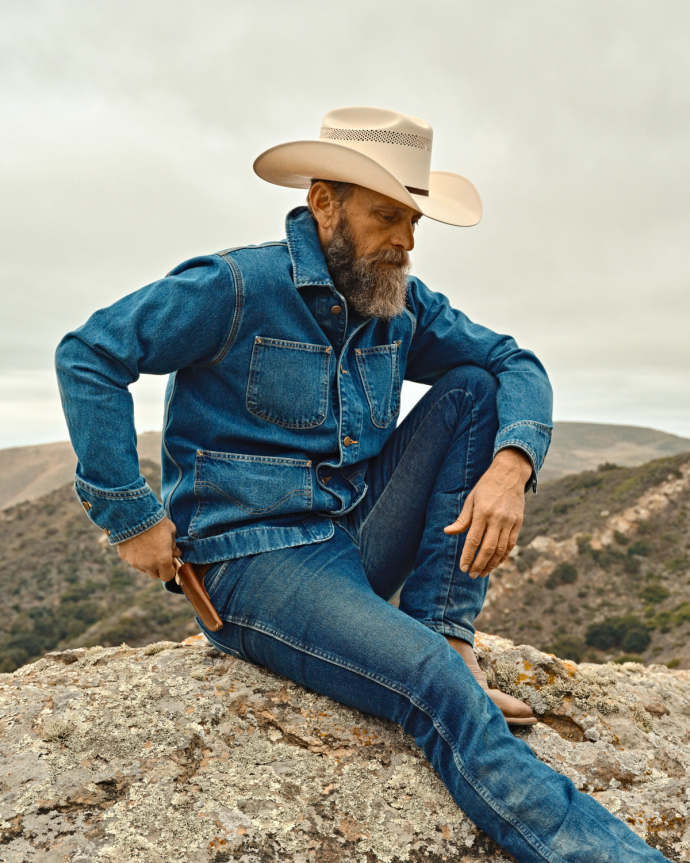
(318, 614)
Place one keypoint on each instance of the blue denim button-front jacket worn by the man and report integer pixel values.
(277, 395)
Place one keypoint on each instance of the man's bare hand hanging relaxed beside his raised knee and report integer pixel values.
(493, 512)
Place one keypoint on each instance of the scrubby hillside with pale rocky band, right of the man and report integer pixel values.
(602, 571)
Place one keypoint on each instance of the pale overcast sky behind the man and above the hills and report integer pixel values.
(129, 129)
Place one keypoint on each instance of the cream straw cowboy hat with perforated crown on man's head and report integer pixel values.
(380, 150)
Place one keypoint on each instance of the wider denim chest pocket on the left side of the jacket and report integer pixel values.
(288, 383)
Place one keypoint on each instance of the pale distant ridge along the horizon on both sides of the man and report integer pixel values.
(30, 472)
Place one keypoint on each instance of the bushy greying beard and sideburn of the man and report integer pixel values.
(370, 288)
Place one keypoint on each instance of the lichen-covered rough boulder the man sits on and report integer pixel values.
(176, 753)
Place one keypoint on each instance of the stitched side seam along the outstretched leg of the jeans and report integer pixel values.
(420, 705)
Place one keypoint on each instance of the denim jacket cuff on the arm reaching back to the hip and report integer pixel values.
(121, 512)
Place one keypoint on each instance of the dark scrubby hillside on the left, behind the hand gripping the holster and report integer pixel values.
(63, 586)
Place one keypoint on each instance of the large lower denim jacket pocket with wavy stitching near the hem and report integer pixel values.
(231, 487)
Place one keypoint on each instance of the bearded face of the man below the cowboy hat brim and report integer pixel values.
(366, 250)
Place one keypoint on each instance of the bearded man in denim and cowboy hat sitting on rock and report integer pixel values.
(286, 482)
